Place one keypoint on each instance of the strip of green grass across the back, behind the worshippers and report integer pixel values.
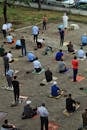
(21, 16)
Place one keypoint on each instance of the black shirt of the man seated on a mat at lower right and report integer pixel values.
(69, 105)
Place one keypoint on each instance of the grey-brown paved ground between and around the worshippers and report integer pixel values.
(30, 83)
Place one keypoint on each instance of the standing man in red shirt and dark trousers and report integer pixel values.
(75, 64)
